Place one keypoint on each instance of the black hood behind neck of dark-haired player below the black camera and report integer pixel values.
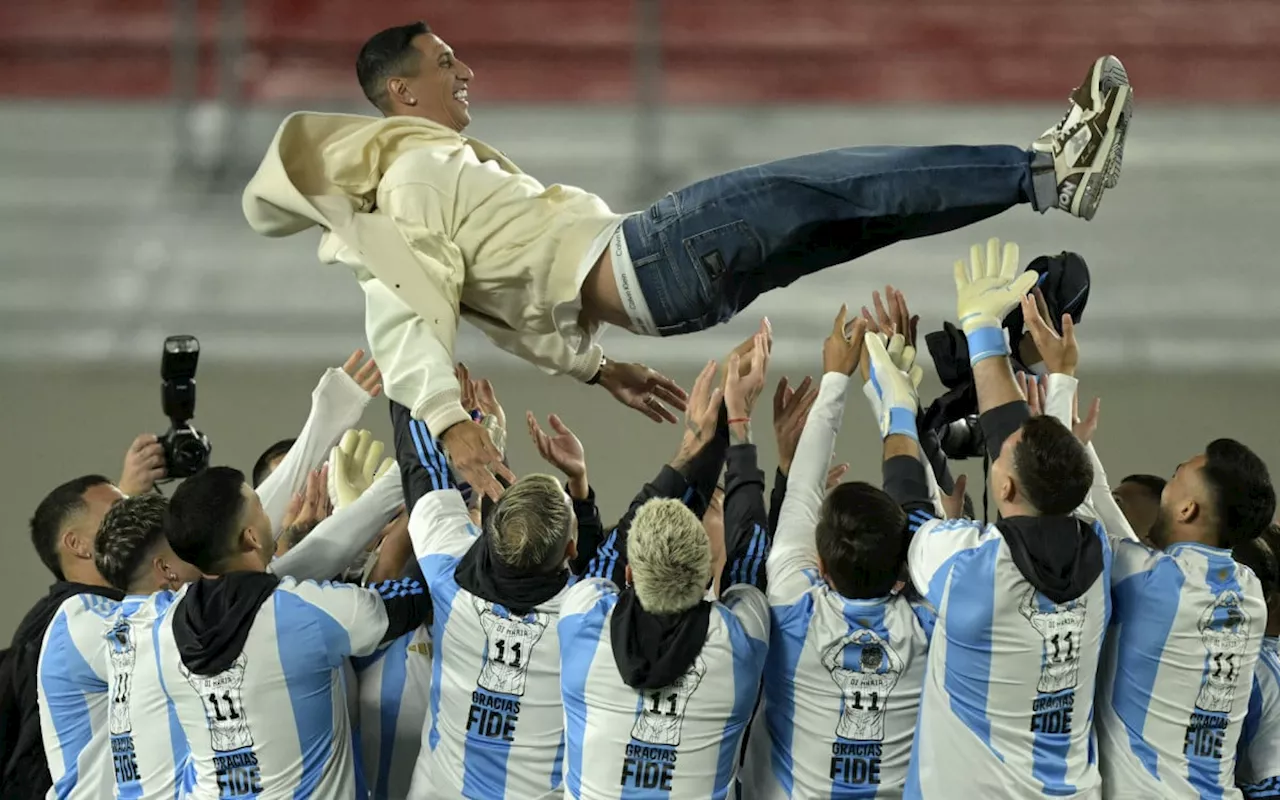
(213, 619)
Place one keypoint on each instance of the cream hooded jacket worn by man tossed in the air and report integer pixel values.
(437, 226)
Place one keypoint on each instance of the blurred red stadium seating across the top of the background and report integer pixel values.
(717, 52)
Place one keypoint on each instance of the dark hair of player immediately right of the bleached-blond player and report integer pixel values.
(861, 538)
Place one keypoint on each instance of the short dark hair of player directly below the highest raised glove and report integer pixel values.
(1054, 470)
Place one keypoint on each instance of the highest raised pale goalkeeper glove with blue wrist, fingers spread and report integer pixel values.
(988, 290)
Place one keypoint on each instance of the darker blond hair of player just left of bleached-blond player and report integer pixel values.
(531, 527)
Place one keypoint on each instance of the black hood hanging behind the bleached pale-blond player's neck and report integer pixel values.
(652, 651)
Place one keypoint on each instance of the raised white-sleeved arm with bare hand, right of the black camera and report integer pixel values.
(337, 404)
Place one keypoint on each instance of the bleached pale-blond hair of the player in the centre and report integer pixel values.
(670, 556)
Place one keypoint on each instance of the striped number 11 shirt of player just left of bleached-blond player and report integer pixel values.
(497, 725)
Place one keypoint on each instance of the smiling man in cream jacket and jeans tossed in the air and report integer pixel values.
(438, 226)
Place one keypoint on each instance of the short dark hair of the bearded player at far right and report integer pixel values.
(1245, 502)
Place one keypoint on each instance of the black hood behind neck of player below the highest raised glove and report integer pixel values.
(1062, 557)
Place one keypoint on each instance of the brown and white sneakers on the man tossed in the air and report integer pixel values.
(1089, 144)
